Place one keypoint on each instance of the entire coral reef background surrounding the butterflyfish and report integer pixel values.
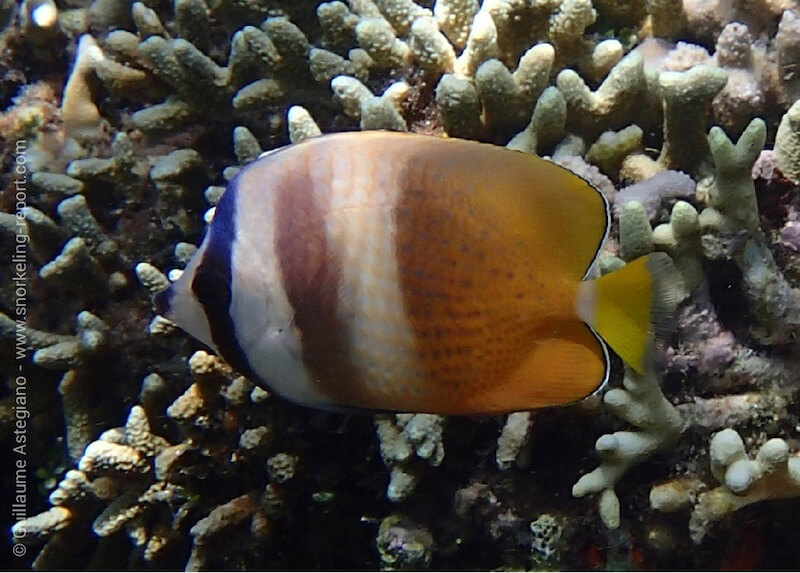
(143, 450)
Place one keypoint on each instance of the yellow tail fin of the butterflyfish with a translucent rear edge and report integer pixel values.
(632, 307)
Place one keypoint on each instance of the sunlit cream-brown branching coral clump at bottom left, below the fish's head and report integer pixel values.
(139, 475)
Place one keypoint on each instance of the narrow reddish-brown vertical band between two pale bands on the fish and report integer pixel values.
(311, 274)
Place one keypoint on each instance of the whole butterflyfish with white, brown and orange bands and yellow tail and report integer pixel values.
(388, 271)
